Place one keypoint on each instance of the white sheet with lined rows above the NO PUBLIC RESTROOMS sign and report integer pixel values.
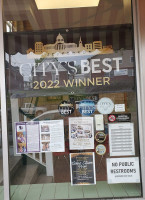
(121, 139)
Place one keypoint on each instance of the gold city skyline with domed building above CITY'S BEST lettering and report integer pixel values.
(61, 48)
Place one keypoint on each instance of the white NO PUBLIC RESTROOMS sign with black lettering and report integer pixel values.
(123, 170)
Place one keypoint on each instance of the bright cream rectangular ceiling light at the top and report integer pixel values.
(56, 4)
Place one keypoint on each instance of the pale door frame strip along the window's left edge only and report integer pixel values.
(3, 111)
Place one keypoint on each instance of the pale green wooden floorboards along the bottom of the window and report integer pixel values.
(66, 191)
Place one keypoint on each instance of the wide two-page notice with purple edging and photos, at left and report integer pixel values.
(43, 136)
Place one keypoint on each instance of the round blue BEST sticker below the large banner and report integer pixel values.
(87, 107)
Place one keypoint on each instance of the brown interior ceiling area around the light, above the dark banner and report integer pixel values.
(109, 12)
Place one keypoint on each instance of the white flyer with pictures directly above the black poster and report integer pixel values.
(81, 133)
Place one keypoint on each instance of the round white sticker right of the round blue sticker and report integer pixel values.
(105, 106)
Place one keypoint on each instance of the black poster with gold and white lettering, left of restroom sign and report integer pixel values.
(82, 168)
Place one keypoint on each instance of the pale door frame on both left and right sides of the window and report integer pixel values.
(140, 71)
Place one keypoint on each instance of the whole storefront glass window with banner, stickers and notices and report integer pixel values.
(71, 101)
